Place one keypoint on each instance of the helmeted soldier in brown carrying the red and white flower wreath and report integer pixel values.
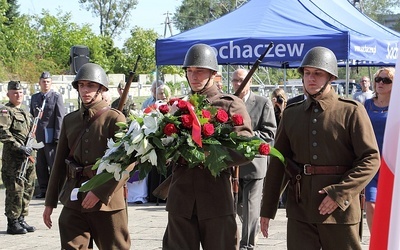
(201, 207)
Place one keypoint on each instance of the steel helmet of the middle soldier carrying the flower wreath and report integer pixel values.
(202, 56)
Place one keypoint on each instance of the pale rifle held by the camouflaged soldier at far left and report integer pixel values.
(32, 143)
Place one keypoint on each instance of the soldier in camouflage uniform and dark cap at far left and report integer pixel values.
(15, 125)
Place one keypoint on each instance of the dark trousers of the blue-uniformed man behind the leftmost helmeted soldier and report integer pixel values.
(44, 163)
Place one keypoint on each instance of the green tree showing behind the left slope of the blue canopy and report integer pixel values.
(188, 16)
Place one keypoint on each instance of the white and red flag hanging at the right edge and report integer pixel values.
(385, 233)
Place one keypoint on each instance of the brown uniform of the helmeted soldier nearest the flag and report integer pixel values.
(328, 132)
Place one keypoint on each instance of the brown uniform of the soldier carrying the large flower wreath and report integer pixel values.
(196, 197)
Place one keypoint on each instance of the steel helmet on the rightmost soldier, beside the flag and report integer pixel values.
(320, 58)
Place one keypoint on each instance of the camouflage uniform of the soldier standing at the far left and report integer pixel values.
(15, 125)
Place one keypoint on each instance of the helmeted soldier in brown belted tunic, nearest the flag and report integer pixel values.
(332, 154)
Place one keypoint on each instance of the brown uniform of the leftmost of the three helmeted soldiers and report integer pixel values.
(77, 224)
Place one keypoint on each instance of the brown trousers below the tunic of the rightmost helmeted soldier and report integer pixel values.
(308, 236)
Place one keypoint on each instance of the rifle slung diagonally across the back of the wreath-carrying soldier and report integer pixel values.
(162, 190)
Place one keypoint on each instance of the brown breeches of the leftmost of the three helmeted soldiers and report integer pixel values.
(108, 229)
